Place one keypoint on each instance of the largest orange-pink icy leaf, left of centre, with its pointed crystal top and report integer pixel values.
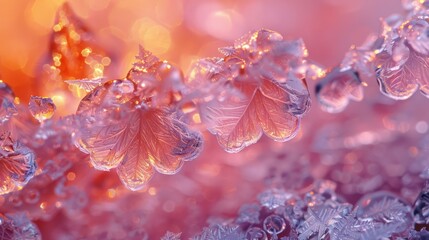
(132, 124)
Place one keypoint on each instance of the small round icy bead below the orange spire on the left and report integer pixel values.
(41, 108)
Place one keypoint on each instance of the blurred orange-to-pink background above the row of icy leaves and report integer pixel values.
(182, 30)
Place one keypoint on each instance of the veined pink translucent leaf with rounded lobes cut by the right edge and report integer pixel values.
(401, 81)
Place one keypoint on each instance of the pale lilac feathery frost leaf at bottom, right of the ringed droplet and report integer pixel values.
(319, 220)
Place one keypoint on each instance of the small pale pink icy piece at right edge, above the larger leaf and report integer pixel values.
(416, 33)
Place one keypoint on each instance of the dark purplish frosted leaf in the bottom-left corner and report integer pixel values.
(18, 227)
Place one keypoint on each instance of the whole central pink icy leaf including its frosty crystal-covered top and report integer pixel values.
(254, 89)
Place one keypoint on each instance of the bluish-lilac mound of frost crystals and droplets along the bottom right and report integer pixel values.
(375, 216)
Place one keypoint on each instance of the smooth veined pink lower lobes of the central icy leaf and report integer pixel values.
(240, 122)
